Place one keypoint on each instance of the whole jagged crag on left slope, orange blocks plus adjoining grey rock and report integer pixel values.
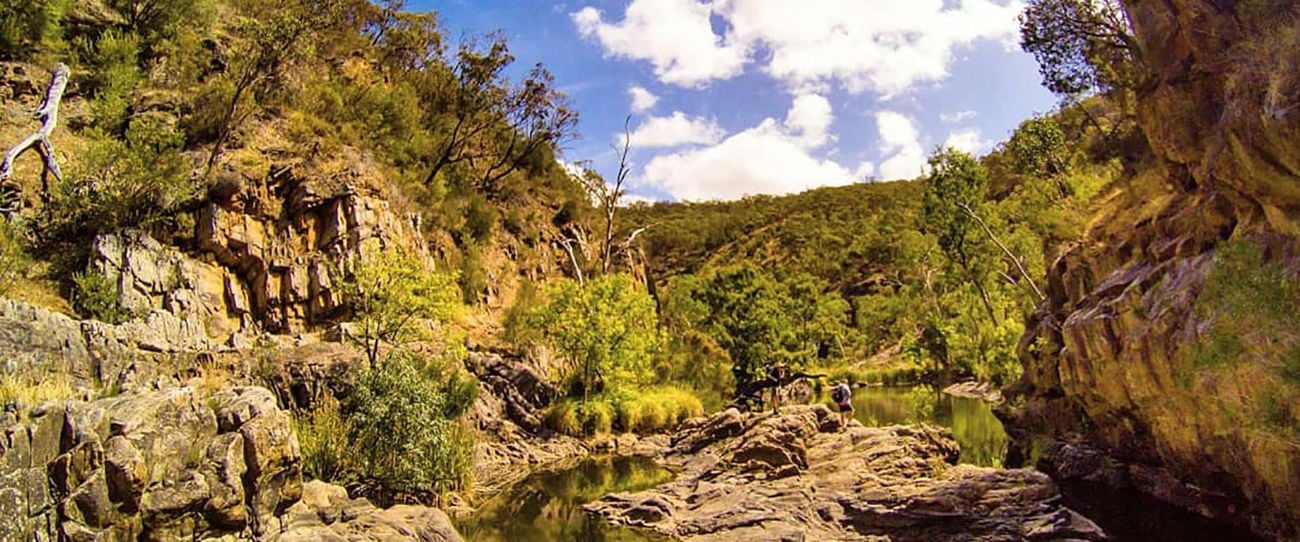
(263, 252)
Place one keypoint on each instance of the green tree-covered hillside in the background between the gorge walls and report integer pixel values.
(889, 281)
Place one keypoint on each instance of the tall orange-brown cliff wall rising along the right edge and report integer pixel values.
(1115, 388)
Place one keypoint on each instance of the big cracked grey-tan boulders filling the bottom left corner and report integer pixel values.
(172, 465)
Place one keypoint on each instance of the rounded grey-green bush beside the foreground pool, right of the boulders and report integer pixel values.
(408, 443)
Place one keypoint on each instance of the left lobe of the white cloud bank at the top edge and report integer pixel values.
(674, 36)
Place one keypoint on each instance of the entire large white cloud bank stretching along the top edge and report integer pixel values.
(881, 46)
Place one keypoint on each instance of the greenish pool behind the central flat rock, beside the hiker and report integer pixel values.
(980, 433)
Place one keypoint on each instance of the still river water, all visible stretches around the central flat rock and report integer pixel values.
(548, 506)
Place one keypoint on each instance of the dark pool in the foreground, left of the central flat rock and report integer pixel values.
(549, 506)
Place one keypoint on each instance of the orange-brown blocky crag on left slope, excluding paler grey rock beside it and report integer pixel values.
(278, 237)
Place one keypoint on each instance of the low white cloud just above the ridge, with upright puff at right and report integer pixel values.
(772, 158)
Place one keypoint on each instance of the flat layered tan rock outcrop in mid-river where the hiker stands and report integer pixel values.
(801, 475)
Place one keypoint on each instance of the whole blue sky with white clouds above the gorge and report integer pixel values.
(770, 97)
